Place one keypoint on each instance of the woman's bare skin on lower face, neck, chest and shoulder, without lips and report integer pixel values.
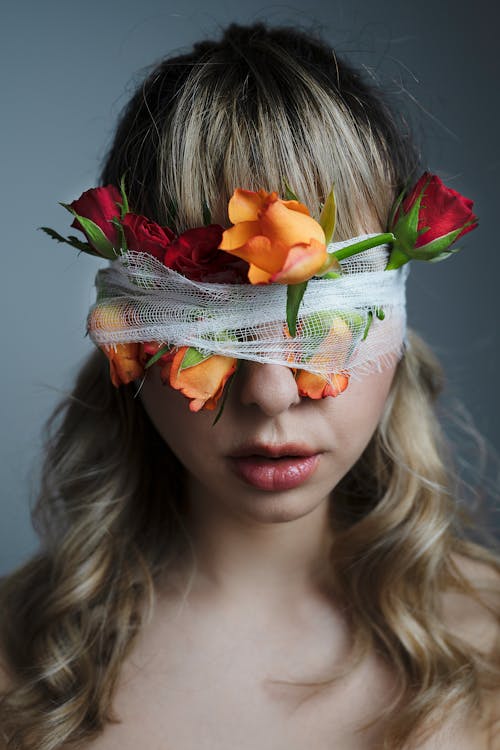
(200, 675)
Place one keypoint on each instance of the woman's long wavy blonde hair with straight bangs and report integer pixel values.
(259, 107)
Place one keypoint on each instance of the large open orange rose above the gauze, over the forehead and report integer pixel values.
(279, 239)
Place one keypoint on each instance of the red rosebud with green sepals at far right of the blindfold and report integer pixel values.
(428, 221)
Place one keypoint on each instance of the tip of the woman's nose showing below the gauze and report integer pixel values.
(272, 388)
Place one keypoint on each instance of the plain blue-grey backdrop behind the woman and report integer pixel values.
(68, 67)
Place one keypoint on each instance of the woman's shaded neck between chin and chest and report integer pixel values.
(265, 560)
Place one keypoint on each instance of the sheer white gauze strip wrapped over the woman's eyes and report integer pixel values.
(141, 300)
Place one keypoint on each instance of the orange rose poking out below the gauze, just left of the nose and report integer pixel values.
(203, 382)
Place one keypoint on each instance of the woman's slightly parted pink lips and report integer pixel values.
(274, 468)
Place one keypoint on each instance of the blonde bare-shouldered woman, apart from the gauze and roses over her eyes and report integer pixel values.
(293, 575)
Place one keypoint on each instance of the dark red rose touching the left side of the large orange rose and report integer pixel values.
(195, 254)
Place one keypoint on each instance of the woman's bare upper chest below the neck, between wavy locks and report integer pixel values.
(220, 693)
